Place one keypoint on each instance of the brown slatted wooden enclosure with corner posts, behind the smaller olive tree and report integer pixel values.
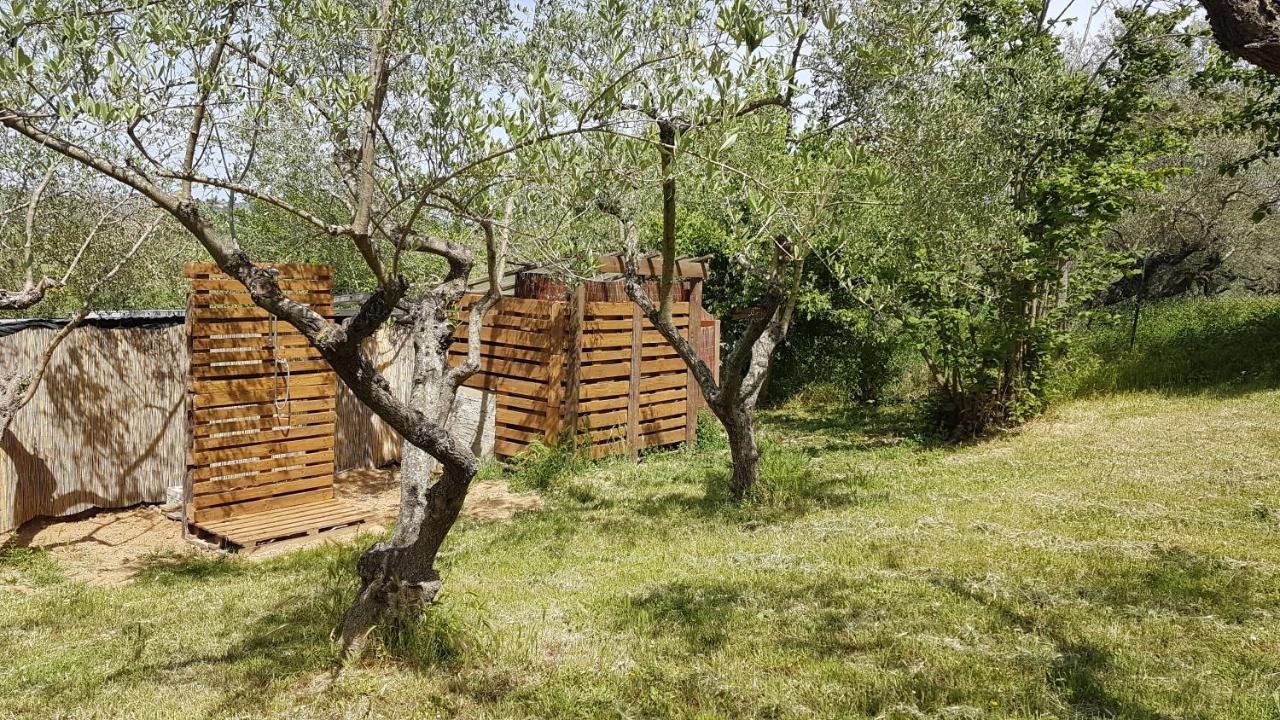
(596, 373)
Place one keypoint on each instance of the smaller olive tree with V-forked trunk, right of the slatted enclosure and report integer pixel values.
(715, 103)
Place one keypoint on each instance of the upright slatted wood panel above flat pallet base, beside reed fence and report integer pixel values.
(262, 432)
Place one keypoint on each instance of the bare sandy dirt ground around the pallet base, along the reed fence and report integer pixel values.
(112, 546)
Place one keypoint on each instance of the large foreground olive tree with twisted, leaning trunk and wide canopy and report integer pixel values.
(414, 119)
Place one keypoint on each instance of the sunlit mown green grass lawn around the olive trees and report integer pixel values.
(1118, 559)
